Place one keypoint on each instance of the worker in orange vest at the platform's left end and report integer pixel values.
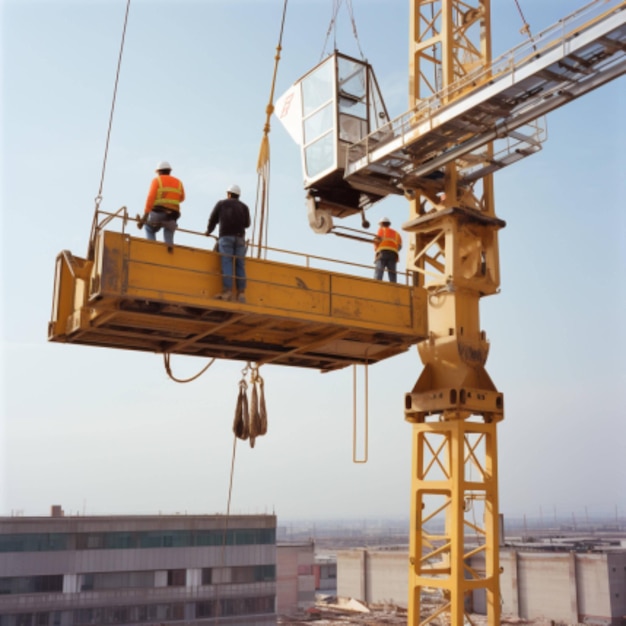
(163, 205)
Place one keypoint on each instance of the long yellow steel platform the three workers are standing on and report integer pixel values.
(135, 295)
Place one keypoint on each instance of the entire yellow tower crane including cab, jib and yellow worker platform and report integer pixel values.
(469, 116)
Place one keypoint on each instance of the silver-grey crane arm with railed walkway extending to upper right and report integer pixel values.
(502, 103)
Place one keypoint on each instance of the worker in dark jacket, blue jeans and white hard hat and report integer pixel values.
(233, 216)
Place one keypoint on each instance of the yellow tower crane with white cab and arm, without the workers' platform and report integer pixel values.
(469, 116)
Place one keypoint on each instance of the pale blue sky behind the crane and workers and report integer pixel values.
(103, 431)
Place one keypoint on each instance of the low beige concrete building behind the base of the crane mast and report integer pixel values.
(570, 587)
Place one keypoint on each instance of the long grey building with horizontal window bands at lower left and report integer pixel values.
(75, 571)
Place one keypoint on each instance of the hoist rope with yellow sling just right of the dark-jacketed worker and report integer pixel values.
(263, 162)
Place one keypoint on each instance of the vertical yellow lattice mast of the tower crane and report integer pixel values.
(454, 406)
